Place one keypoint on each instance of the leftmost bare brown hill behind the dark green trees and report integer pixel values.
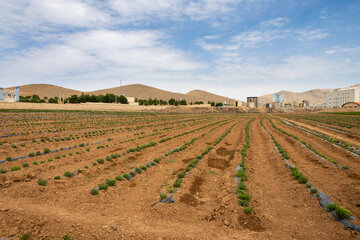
(46, 90)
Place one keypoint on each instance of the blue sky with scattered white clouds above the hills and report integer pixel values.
(235, 48)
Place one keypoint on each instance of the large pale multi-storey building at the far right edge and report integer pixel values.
(340, 96)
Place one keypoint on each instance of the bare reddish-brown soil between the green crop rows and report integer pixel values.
(206, 205)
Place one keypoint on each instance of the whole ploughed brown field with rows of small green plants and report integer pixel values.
(108, 175)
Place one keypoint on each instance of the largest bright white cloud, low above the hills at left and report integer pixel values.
(94, 51)
